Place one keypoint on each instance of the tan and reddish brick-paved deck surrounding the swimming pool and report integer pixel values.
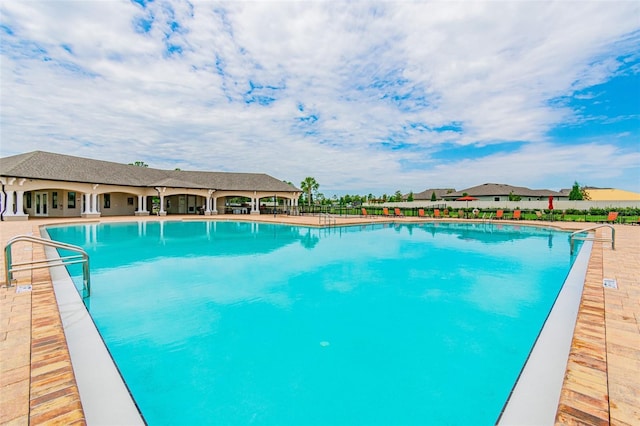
(601, 383)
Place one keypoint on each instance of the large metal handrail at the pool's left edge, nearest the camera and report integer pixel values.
(81, 257)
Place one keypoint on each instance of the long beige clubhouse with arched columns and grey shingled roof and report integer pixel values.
(55, 185)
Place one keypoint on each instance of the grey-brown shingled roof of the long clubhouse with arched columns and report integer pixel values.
(60, 167)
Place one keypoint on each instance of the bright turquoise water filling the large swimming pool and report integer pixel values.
(247, 323)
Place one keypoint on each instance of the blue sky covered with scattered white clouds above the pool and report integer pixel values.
(366, 97)
